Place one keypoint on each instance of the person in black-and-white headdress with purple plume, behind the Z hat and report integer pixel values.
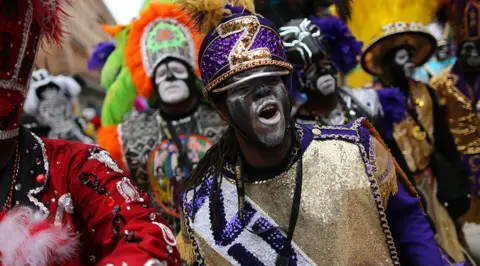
(318, 49)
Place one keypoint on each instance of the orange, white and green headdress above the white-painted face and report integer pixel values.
(161, 31)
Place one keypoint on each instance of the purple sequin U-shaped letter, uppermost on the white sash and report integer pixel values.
(225, 233)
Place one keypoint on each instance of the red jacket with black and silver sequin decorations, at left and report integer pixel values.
(81, 188)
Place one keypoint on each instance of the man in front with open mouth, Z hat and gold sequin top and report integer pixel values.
(330, 189)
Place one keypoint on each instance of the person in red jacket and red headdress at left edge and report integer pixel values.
(63, 203)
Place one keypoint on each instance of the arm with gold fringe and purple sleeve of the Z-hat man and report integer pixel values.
(411, 232)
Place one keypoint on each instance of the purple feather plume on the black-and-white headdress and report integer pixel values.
(345, 48)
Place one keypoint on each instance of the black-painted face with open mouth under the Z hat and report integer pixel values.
(260, 109)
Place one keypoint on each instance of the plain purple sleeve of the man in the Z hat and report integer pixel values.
(411, 230)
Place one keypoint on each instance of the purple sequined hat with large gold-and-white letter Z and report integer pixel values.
(241, 41)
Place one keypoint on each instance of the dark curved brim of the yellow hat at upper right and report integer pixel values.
(424, 43)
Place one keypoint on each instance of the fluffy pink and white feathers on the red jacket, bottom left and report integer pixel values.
(27, 238)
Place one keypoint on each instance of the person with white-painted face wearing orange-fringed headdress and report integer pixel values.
(160, 147)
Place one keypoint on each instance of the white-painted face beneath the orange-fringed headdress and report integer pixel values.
(170, 80)
